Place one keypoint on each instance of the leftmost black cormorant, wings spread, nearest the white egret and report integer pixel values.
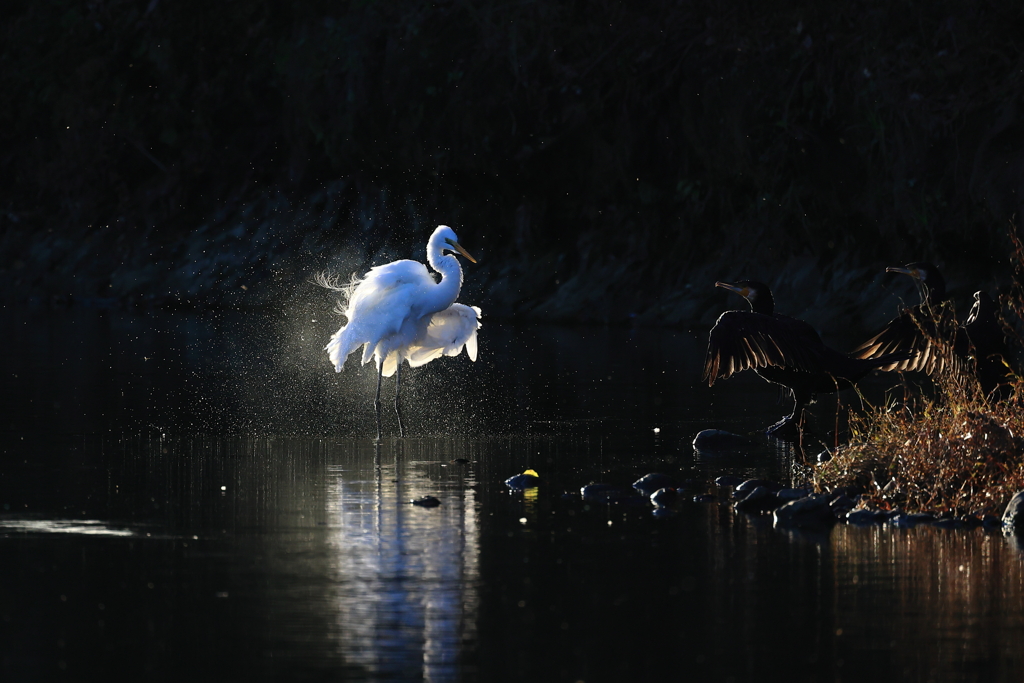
(783, 351)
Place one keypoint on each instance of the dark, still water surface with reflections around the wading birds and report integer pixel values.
(196, 498)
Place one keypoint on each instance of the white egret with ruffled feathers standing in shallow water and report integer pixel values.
(399, 313)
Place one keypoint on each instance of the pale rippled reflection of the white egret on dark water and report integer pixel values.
(404, 579)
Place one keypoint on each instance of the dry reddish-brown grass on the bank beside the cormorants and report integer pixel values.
(947, 450)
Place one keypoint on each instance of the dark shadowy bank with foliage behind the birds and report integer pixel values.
(609, 161)
